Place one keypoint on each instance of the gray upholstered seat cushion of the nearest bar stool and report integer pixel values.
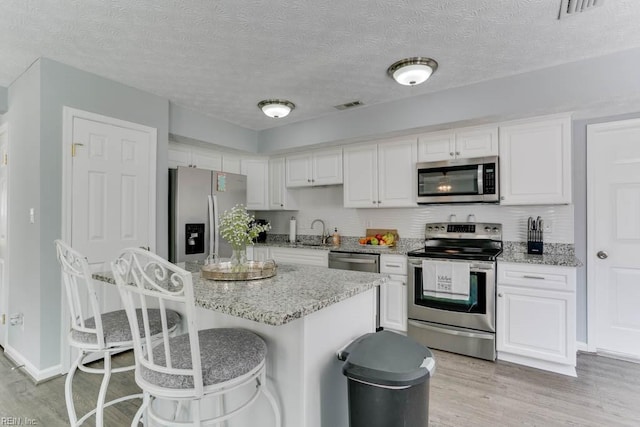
(226, 353)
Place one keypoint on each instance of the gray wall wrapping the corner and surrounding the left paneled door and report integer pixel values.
(37, 97)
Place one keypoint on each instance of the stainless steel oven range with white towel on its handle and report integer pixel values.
(441, 320)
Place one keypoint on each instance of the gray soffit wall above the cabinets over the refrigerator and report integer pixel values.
(193, 125)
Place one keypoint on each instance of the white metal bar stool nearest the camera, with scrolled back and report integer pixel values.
(190, 367)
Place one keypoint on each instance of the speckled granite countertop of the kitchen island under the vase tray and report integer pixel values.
(294, 292)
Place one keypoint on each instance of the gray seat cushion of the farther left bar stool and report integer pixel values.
(115, 326)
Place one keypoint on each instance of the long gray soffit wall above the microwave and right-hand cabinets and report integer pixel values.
(592, 85)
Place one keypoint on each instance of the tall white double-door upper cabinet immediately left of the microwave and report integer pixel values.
(380, 175)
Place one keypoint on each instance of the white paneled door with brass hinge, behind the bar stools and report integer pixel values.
(113, 191)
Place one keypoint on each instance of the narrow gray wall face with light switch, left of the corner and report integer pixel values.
(24, 279)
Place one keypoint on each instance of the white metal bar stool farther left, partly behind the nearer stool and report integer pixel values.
(95, 332)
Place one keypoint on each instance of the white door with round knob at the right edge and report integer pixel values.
(613, 241)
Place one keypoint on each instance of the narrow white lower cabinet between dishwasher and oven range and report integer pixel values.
(393, 294)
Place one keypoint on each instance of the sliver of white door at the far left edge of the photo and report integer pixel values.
(4, 145)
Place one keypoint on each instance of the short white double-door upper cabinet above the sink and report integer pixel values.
(323, 167)
